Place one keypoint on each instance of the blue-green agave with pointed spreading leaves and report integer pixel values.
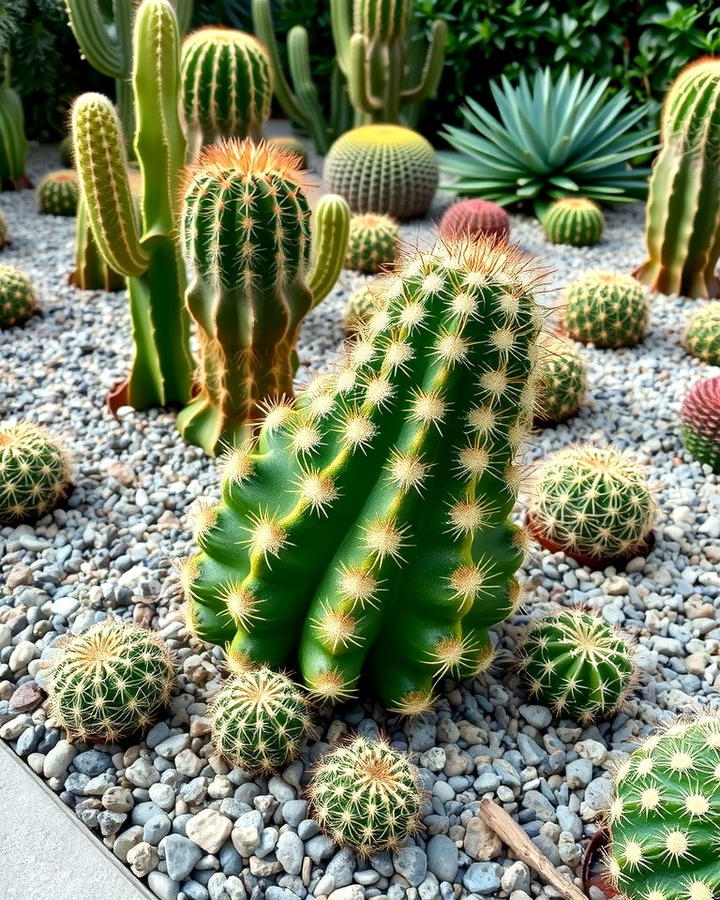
(553, 138)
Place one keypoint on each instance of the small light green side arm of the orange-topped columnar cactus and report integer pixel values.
(331, 228)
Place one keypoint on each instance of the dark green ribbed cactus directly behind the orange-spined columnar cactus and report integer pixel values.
(227, 86)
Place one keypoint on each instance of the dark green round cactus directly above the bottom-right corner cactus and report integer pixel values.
(577, 665)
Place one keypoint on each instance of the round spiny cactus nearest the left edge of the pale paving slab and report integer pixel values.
(110, 682)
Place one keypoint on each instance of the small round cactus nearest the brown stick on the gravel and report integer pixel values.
(366, 796)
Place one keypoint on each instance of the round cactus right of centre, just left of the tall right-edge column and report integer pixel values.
(606, 309)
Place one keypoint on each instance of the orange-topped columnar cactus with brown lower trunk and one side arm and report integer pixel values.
(246, 235)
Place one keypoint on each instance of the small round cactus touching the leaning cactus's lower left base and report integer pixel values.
(259, 720)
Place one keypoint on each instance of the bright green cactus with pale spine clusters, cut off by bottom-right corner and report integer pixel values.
(665, 816)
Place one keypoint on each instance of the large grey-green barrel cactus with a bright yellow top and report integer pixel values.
(383, 169)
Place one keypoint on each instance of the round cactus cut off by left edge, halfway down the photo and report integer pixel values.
(34, 472)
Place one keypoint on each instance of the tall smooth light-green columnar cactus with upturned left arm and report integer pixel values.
(147, 251)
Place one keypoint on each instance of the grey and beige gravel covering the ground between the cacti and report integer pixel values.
(170, 807)
